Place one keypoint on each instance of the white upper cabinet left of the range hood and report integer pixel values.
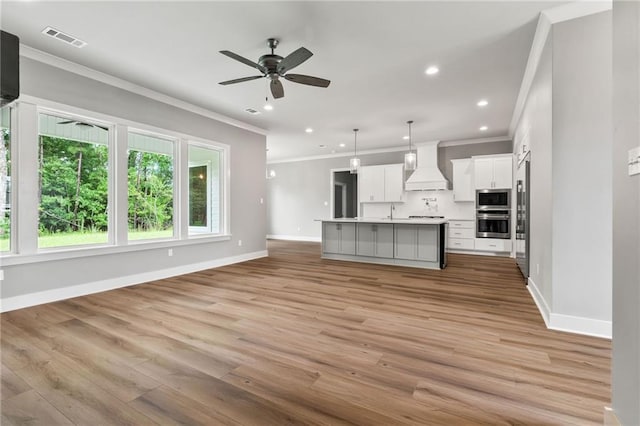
(381, 184)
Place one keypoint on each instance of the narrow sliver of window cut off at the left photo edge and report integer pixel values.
(5, 180)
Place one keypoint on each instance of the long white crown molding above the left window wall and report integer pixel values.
(55, 61)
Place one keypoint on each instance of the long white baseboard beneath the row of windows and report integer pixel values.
(47, 296)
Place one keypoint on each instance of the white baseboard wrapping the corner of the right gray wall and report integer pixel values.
(568, 323)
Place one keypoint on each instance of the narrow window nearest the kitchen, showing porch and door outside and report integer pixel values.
(205, 190)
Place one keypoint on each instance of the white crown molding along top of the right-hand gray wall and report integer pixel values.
(548, 18)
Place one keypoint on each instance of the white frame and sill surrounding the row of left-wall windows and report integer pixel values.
(24, 241)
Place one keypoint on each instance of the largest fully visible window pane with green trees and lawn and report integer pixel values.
(73, 182)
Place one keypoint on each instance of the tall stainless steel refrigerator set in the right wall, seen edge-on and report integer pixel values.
(522, 217)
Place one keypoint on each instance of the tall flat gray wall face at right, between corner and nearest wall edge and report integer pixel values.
(581, 157)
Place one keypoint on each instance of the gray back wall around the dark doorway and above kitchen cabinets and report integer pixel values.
(298, 193)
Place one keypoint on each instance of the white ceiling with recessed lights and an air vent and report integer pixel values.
(374, 53)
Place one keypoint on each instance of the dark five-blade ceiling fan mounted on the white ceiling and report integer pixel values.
(273, 67)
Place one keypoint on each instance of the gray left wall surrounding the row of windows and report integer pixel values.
(247, 152)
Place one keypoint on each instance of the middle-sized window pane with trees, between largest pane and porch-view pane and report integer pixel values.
(151, 190)
